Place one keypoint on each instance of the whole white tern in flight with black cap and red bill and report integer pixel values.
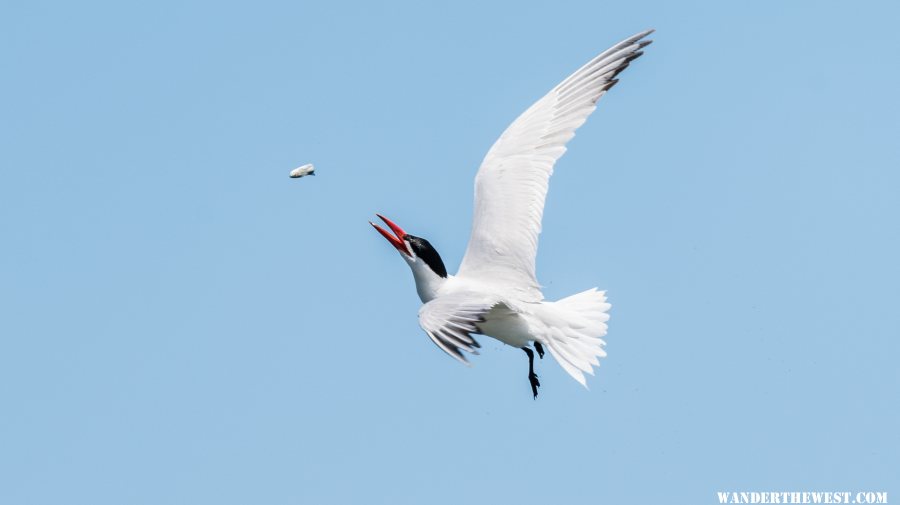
(496, 292)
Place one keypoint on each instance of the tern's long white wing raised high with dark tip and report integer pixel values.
(511, 184)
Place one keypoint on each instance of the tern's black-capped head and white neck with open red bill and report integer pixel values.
(425, 262)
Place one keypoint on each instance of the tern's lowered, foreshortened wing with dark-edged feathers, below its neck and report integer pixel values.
(450, 321)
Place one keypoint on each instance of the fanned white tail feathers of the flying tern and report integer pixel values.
(572, 330)
